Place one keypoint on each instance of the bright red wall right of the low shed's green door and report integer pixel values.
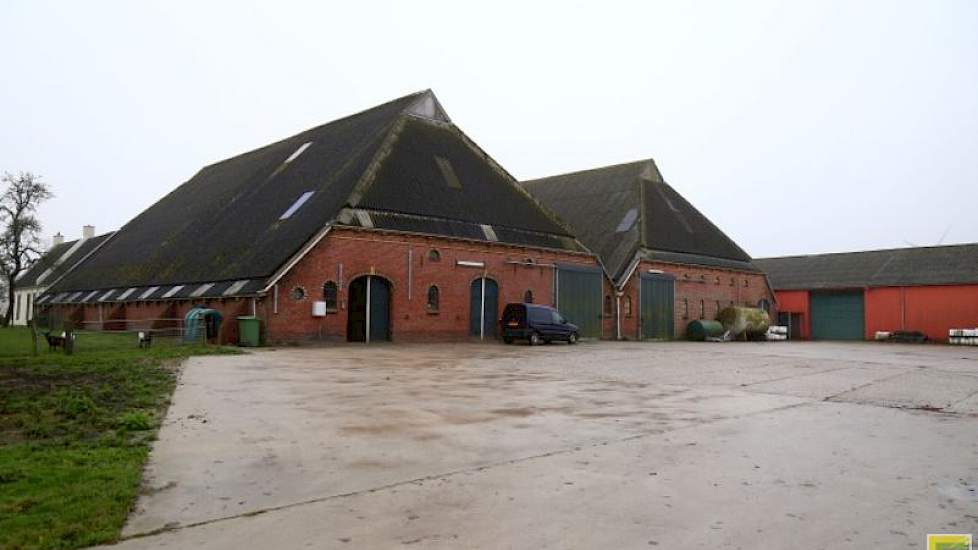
(932, 310)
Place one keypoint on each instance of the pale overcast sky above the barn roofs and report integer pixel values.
(797, 127)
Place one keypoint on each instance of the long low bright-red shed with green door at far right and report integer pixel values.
(852, 295)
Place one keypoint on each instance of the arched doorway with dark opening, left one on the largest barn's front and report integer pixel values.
(369, 313)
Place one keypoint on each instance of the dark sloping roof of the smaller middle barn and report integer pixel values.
(620, 210)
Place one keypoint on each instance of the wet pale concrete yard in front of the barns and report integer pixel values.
(600, 445)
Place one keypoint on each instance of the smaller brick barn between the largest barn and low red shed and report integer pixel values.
(668, 264)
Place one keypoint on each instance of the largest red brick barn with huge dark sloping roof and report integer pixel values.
(387, 224)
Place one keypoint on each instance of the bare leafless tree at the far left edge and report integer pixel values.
(20, 243)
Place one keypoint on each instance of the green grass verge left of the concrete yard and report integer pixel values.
(75, 432)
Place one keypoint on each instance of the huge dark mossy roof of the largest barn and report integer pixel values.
(226, 223)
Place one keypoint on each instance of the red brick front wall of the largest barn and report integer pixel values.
(346, 254)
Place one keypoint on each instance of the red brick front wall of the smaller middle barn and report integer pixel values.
(700, 293)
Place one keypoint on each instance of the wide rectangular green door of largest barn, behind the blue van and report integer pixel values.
(579, 290)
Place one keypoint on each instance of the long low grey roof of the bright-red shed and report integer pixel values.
(932, 265)
